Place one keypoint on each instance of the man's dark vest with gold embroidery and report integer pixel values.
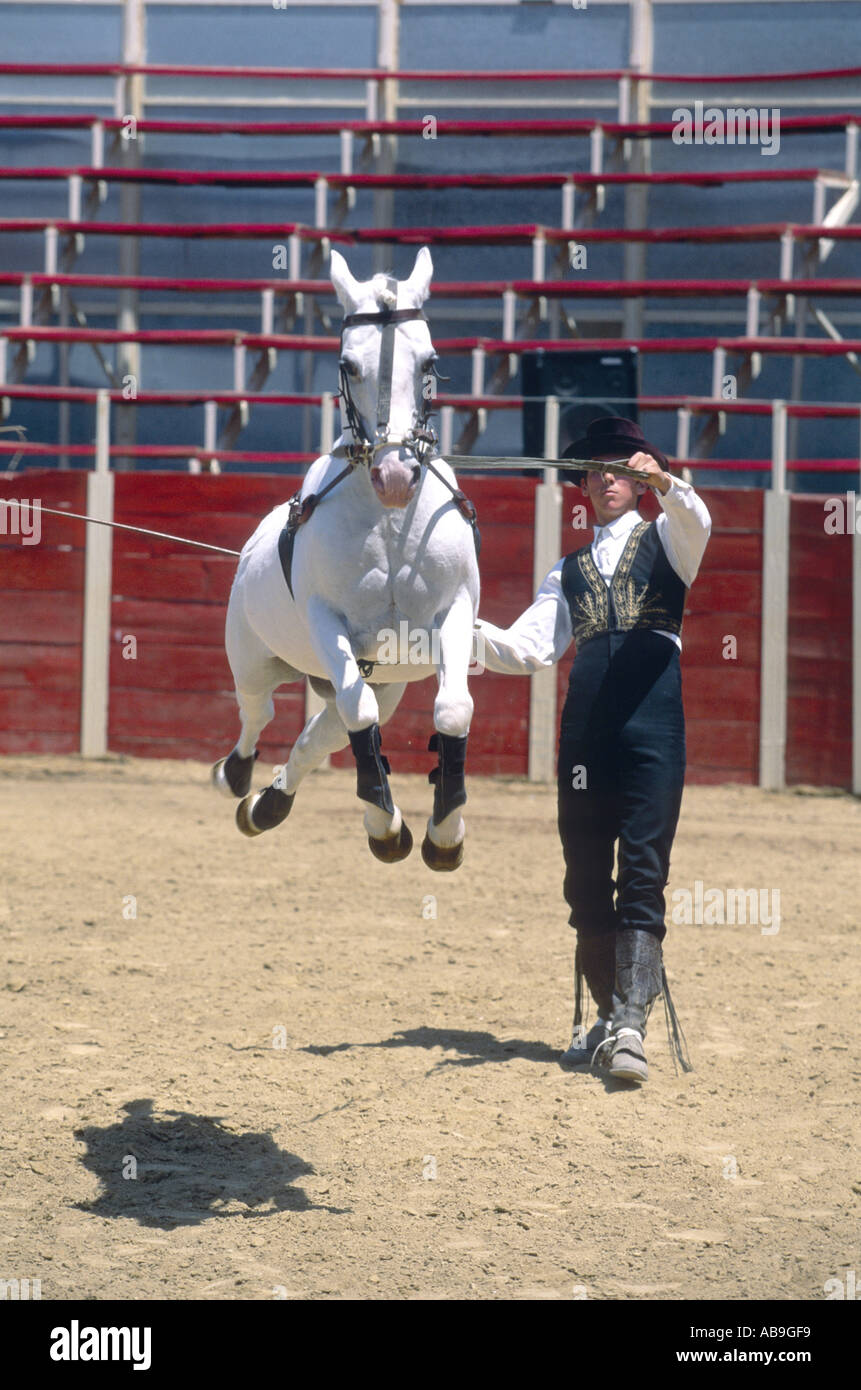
(645, 593)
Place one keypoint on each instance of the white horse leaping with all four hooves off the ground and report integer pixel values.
(373, 583)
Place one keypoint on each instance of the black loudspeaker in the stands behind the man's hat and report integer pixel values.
(610, 379)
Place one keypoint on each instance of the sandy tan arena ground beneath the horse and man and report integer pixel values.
(287, 1078)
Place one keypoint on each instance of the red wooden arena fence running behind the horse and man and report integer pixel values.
(175, 698)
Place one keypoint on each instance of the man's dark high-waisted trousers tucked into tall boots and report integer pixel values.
(621, 775)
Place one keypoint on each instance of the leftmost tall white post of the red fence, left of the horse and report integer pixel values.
(95, 661)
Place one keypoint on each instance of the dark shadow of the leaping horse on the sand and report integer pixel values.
(180, 1170)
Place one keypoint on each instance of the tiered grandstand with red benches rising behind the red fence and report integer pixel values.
(115, 237)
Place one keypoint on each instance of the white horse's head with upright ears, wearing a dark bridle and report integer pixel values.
(386, 358)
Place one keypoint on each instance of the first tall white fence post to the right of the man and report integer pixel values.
(774, 654)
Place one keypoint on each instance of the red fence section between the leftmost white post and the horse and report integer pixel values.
(175, 698)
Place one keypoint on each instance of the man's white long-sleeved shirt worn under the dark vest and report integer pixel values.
(542, 635)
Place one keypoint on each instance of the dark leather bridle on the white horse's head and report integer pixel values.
(422, 439)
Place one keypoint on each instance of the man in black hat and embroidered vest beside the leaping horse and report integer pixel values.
(621, 767)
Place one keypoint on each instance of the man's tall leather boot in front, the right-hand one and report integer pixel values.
(639, 982)
